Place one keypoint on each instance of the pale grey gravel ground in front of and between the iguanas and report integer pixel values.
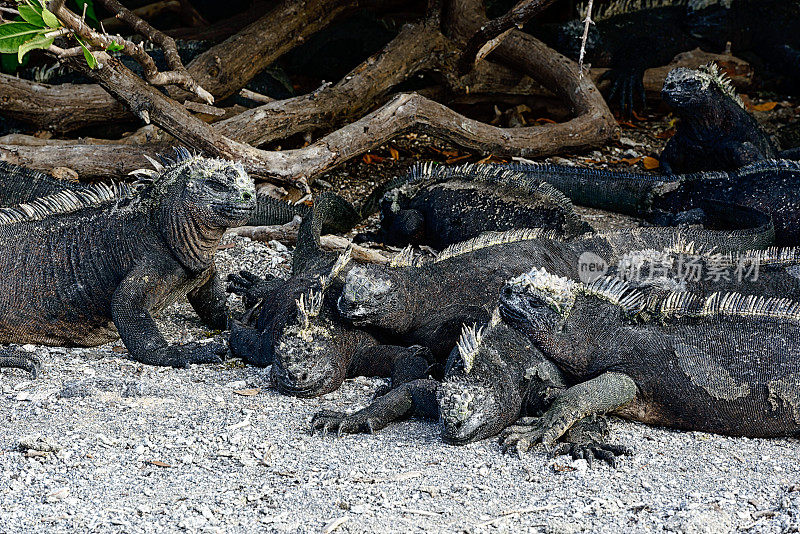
(103, 444)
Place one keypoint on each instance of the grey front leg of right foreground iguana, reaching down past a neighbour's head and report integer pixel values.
(598, 395)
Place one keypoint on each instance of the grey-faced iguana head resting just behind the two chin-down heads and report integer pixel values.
(375, 295)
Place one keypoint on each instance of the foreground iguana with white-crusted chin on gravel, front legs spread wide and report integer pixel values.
(492, 377)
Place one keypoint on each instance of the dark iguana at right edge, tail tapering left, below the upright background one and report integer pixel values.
(771, 186)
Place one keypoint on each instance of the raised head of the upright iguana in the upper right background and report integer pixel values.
(694, 91)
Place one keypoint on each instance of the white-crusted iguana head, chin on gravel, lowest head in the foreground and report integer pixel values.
(479, 396)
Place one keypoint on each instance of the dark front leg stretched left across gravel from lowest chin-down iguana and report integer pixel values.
(417, 397)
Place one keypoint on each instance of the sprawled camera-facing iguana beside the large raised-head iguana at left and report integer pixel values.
(298, 330)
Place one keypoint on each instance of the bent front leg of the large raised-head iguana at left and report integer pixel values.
(130, 311)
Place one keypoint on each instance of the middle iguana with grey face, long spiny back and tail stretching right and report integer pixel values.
(426, 302)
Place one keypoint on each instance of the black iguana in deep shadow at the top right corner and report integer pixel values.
(630, 36)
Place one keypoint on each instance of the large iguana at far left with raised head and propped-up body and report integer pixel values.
(91, 266)
